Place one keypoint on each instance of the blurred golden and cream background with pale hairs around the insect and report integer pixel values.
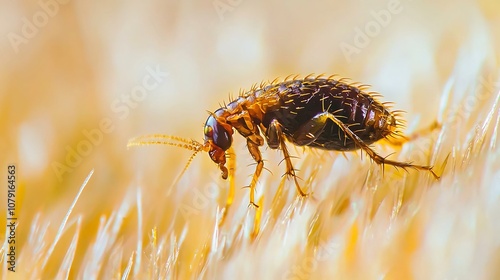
(80, 78)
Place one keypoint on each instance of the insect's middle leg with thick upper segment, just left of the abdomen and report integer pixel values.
(275, 139)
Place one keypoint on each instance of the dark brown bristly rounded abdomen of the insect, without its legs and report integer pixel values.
(301, 100)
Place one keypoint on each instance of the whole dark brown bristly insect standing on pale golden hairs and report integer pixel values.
(322, 113)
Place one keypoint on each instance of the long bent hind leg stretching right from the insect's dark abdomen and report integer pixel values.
(311, 130)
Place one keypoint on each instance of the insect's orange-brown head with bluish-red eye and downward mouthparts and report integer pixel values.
(218, 139)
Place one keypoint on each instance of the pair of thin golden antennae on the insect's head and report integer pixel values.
(170, 140)
